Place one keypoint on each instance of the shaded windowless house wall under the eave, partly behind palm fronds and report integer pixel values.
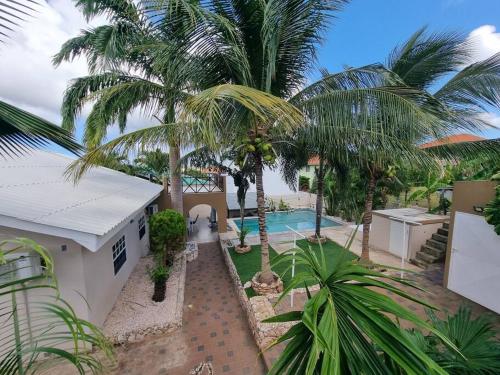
(68, 266)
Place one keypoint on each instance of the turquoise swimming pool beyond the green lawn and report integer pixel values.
(298, 220)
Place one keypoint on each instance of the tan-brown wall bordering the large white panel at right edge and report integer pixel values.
(466, 195)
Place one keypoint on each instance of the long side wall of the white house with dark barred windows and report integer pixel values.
(102, 285)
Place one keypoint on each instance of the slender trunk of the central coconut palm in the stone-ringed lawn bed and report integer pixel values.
(266, 275)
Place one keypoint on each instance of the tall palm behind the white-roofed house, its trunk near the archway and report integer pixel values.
(140, 60)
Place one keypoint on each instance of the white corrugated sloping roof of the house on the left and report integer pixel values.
(34, 190)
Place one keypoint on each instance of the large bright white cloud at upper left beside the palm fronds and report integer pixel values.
(27, 77)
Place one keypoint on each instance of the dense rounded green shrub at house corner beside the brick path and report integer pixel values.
(167, 231)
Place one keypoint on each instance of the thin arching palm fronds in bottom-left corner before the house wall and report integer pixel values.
(51, 328)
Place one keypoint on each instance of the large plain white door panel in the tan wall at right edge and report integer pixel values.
(475, 261)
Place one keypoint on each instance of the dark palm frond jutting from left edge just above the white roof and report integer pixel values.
(21, 130)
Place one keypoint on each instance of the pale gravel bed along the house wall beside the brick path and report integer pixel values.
(135, 315)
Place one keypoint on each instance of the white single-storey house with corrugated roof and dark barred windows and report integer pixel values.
(95, 230)
